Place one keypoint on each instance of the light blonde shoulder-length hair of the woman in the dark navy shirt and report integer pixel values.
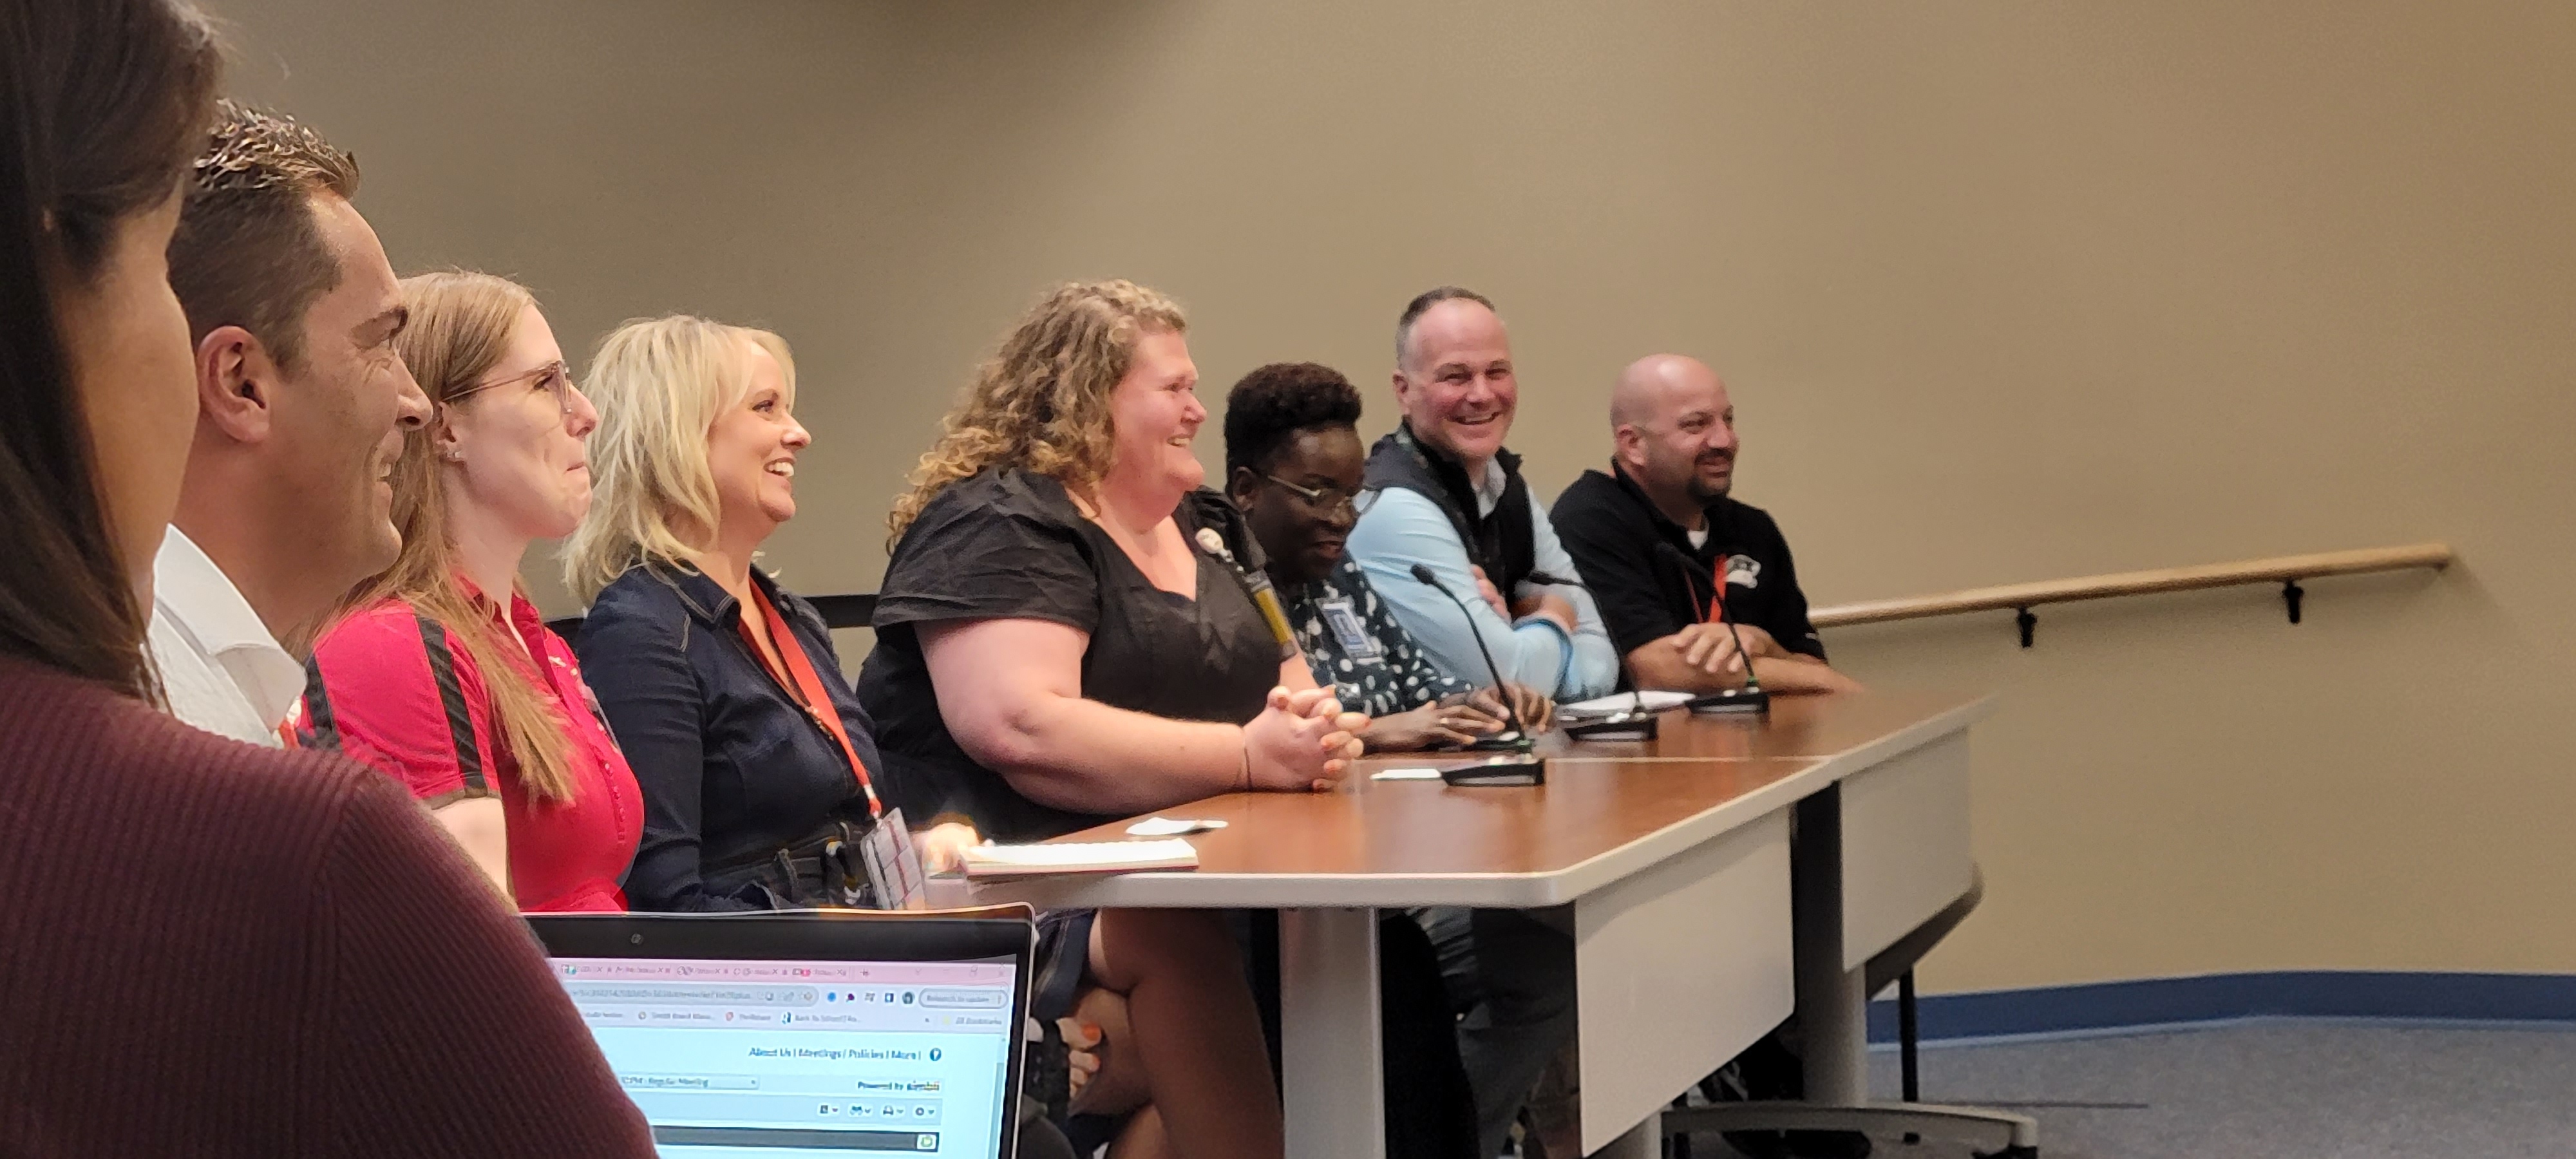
(661, 388)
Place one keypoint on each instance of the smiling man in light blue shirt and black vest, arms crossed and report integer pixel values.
(1441, 493)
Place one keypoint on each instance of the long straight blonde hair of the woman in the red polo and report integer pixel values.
(462, 326)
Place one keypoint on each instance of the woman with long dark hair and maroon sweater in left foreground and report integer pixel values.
(205, 949)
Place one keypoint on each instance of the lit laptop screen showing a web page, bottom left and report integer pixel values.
(808, 1060)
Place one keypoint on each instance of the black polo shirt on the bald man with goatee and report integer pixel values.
(1647, 594)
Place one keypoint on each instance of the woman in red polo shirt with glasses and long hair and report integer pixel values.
(439, 671)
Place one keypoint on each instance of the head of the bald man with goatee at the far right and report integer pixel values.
(1676, 434)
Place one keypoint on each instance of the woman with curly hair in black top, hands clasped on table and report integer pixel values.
(1065, 637)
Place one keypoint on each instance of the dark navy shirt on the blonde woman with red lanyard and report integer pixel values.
(730, 764)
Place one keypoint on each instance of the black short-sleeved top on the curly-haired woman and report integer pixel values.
(1011, 545)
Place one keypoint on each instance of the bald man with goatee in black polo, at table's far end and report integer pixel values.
(1668, 552)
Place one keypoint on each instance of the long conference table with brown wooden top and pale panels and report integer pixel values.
(1671, 862)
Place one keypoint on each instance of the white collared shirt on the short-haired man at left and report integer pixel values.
(220, 666)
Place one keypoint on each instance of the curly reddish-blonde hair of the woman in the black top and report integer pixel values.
(1042, 403)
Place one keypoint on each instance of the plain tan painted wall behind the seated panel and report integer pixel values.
(2005, 292)
